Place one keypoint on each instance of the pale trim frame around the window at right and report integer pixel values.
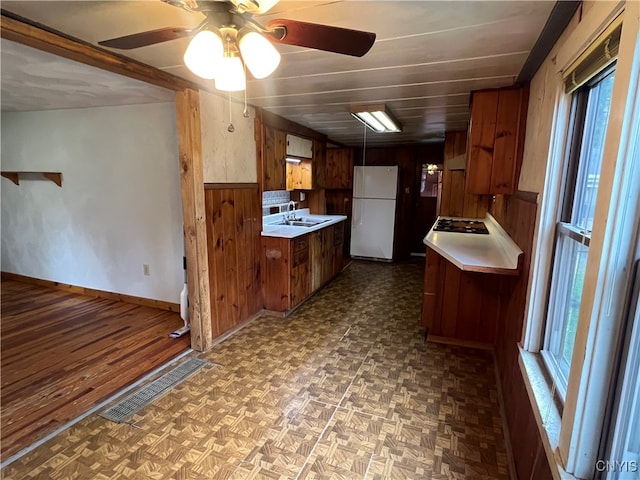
(569, 440)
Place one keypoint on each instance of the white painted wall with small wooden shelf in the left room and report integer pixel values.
(119, 206)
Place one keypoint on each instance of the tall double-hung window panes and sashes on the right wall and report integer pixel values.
(590, 113)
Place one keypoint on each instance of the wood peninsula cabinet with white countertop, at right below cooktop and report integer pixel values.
(464, 281)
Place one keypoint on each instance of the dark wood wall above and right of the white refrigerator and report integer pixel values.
(409, 159)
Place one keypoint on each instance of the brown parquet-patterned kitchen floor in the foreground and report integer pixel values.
(345, 388)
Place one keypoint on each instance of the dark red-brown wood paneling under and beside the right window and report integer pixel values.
(517, 214)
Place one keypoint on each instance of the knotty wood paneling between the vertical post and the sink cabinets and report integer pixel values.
(233, 214)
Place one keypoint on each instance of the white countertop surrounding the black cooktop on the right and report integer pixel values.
(492, 253)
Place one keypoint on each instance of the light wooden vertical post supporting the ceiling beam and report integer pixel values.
(194, 217)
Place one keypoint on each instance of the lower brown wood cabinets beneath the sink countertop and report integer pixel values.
(296, 268)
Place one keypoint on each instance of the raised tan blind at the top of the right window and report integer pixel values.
(602, 54)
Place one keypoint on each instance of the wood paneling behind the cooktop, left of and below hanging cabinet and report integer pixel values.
(454, 201)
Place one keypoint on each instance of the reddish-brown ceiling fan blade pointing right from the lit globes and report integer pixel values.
(321, 37)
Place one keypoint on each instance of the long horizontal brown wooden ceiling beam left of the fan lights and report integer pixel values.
(38, 37)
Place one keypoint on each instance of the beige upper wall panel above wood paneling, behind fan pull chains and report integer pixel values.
(228, 157)
